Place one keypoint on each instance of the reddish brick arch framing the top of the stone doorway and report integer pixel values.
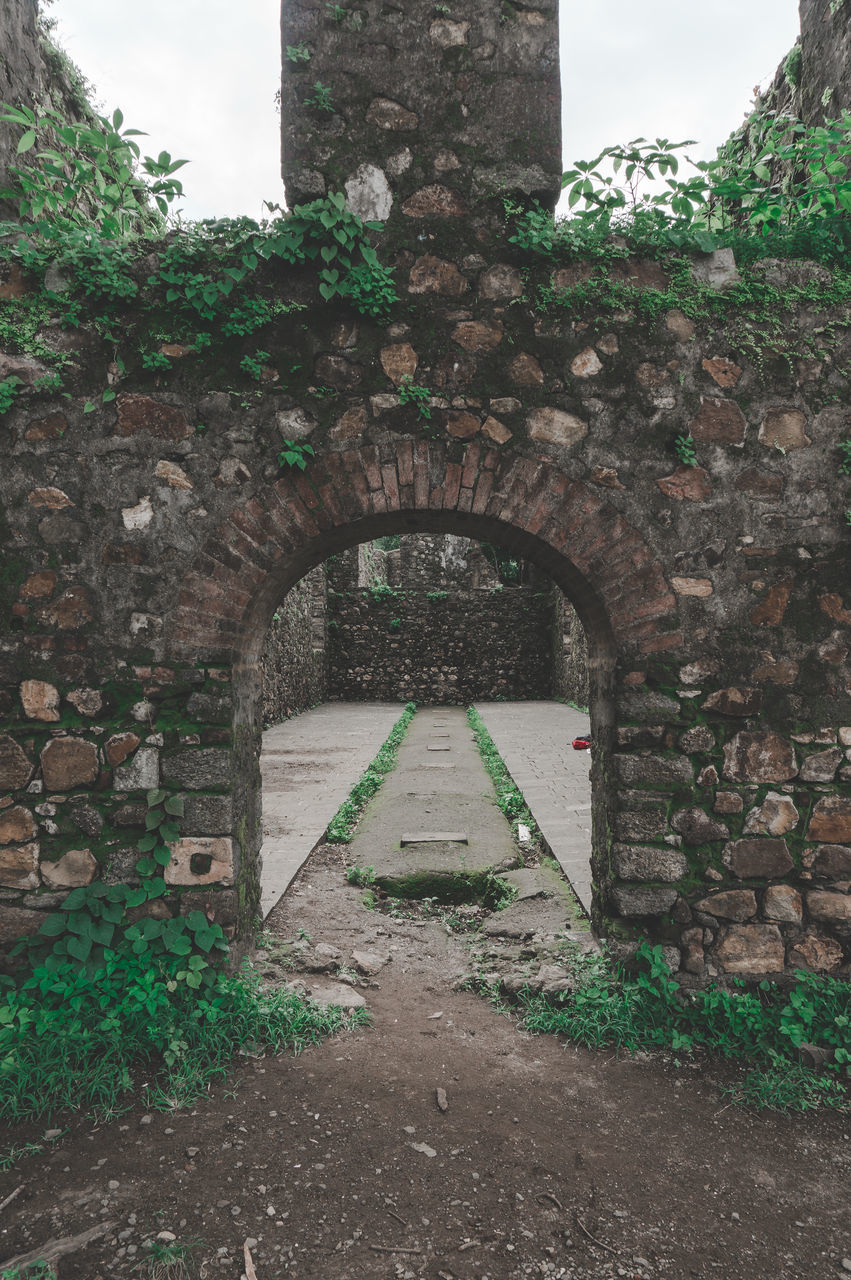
(528, 505)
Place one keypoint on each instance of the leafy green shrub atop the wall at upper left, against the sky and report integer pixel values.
(89, 173)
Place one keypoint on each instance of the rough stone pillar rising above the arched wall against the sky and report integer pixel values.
(419, 116)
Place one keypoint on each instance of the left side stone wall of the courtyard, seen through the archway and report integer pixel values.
(294, 657)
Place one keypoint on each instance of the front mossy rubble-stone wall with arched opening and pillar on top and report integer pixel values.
(143, 560)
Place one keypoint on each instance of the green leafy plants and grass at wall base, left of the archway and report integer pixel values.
(74, 1039)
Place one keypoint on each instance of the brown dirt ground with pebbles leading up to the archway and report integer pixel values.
(547, 1162)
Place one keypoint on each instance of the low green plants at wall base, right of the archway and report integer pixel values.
(765, 1027)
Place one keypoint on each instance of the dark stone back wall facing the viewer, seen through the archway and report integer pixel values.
(441, 647)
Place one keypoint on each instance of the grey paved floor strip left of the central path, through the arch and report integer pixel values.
(309, 767)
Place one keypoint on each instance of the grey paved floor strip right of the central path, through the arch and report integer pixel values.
(534, 740)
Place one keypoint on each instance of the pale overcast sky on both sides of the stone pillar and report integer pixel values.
(200, 76)
